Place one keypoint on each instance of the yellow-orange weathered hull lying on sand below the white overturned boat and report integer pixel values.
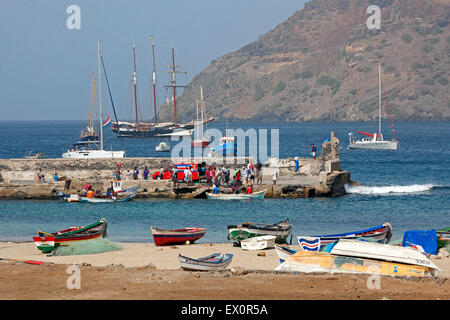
(316, 261)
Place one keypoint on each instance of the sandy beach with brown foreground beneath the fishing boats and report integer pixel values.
(144, 271)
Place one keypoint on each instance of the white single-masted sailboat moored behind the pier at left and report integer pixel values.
(89, 146)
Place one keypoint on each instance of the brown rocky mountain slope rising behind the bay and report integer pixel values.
(321, 64)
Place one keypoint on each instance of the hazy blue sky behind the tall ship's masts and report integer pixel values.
(45, 67)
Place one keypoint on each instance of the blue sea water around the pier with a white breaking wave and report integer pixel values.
(409, 187)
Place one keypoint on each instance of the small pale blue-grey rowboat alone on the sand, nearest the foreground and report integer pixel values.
(212, 262)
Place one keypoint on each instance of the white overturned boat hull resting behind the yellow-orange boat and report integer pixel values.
(379, 251)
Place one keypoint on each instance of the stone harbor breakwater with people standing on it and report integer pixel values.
(308, 177)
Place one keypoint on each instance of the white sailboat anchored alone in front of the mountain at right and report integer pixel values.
(374, 141)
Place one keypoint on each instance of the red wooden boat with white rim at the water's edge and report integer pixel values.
(167, 237)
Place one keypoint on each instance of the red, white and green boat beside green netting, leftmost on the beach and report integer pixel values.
(47, 242)
